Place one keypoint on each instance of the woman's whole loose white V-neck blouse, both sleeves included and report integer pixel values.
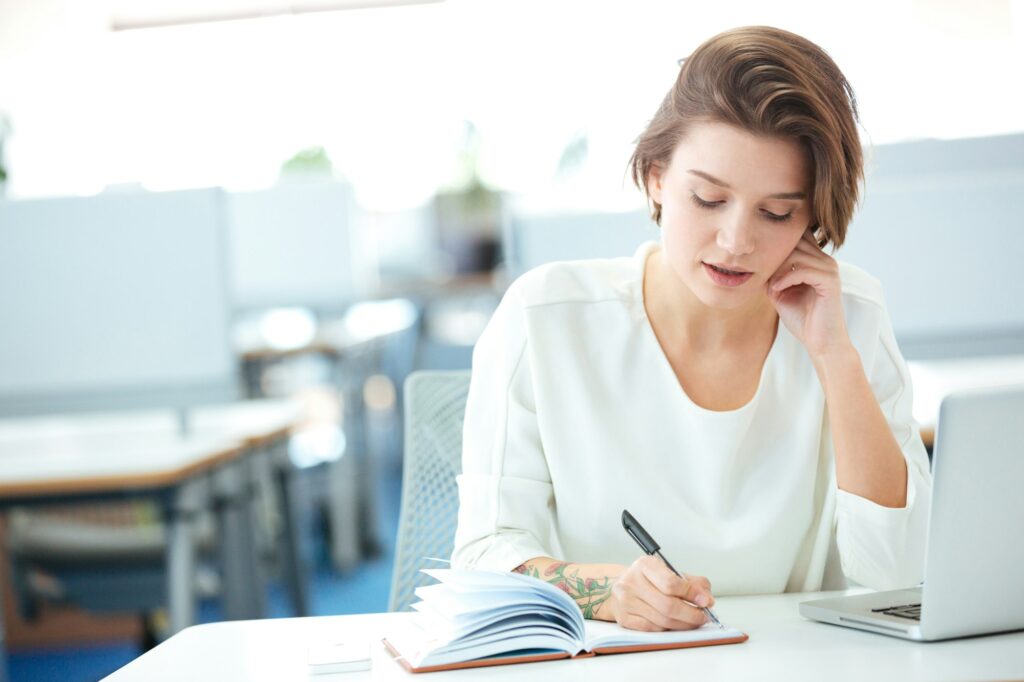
(576, 414)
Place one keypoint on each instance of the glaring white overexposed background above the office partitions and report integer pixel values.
(388, 92)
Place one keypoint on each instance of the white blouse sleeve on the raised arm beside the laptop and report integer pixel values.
(882, 547)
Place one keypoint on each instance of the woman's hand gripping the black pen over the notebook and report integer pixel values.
(649, 596)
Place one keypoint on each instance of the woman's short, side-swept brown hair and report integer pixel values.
(770, 82)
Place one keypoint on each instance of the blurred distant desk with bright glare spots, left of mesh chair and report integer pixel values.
(370, 342)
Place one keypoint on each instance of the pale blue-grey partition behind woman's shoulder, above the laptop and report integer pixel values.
(943, 228)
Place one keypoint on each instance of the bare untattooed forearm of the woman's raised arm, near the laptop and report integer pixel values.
(869, 461)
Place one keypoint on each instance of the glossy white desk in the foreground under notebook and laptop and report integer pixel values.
(783, 647)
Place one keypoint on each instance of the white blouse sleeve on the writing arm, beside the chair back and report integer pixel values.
(505, 492)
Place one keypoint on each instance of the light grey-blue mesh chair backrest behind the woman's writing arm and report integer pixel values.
(436, 406)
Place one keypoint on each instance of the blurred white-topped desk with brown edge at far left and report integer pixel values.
(146, 456)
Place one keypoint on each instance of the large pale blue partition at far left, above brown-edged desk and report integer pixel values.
(114, 302)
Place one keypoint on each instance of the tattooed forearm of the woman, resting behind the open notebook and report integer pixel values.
(589, 584)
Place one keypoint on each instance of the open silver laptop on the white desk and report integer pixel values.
(974, 584)
